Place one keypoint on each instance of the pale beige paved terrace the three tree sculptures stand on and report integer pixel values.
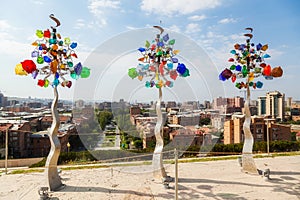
(216, 180)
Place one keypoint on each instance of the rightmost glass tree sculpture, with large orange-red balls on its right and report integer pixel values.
(248, 62)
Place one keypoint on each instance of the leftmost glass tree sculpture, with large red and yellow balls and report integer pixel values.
(55, 56)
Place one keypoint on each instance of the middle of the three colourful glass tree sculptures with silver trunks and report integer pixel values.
(159, 62)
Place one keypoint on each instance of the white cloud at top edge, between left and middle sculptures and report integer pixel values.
(99, 7)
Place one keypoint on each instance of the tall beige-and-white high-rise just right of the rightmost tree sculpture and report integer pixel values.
(272, 105)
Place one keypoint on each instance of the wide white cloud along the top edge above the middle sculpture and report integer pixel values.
(177, 6)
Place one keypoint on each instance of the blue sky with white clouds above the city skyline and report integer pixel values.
(213, 26)
